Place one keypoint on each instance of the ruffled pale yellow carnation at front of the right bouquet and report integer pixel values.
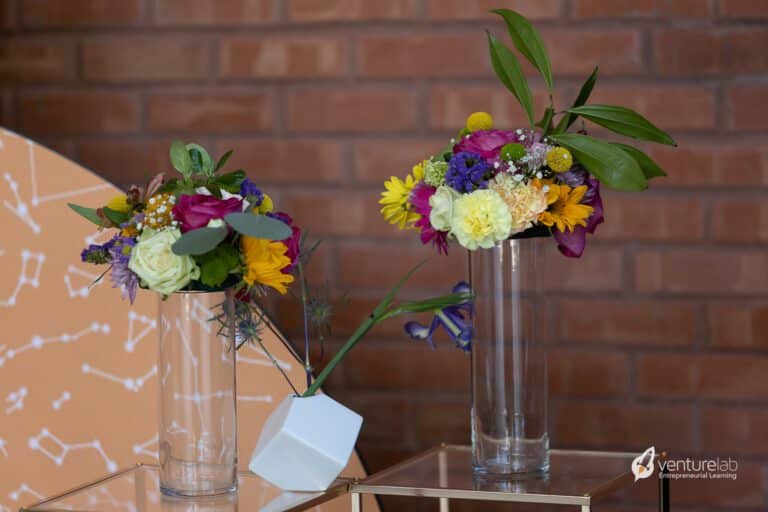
(481, 219)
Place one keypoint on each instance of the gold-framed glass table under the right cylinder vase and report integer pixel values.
(575, 478)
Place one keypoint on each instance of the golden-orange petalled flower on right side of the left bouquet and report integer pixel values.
(264, 262)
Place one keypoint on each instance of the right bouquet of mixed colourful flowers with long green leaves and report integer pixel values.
(492, 184)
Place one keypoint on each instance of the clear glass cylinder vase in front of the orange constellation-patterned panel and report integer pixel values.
(198, 415)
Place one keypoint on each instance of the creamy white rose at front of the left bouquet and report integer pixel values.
(158, 267)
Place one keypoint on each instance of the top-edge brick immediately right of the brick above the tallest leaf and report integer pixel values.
(640, 8)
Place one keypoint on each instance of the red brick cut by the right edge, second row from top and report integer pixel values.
(696, 52)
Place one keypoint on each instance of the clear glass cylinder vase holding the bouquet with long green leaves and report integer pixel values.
(509, 370)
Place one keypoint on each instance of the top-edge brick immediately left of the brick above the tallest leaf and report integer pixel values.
(350, 10)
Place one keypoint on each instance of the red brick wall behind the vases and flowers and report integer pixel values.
(659, 334)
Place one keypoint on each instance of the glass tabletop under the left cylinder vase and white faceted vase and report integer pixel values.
(137, 490)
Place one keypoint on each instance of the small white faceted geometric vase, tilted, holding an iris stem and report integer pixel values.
(305, 443)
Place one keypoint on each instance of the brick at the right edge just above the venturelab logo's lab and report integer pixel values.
(734, 430)
